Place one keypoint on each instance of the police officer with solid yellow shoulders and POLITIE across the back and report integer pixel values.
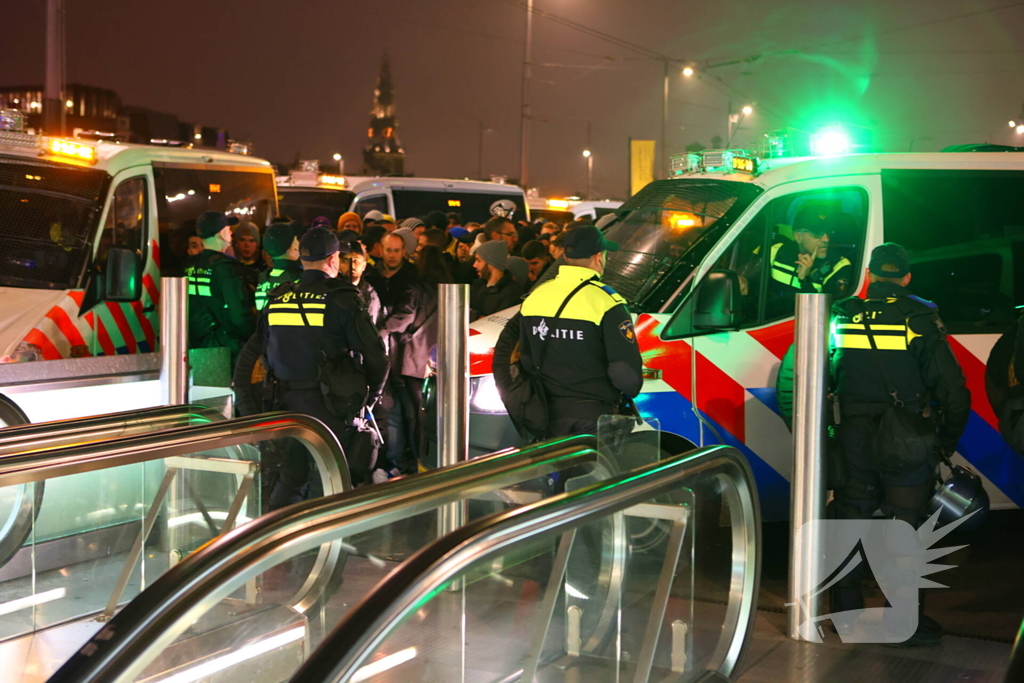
(577, 334)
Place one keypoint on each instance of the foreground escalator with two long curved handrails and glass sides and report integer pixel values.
(536, 583)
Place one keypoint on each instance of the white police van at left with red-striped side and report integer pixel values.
(87, 230)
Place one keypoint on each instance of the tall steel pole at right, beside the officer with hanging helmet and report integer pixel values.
(808, 481)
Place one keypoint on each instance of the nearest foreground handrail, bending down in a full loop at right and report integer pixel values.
(366, 626)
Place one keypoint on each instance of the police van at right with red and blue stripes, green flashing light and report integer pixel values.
(695, 267)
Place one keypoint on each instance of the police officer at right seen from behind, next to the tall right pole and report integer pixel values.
(891, 351)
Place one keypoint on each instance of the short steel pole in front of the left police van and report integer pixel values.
(175, 340)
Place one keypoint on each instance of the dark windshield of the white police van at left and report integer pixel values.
(48, 215)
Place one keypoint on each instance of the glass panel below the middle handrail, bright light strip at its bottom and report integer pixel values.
(272, 622)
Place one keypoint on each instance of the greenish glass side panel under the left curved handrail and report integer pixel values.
(71, 547)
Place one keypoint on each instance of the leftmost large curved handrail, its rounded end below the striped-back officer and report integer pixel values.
(325, 449)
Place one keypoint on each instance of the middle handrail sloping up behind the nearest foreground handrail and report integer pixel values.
(178, 599)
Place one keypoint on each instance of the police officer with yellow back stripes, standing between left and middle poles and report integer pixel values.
(326, 358)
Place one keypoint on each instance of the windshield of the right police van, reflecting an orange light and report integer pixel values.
(666, 231)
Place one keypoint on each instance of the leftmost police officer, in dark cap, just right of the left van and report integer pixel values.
(222, 310)
